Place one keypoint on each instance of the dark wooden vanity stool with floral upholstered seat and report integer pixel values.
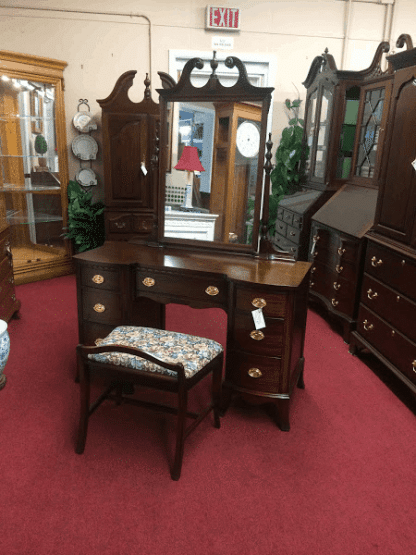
(154, 358)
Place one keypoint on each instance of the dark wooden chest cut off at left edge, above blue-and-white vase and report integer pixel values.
(9, 305)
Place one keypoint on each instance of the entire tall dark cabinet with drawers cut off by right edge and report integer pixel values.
(388, 296)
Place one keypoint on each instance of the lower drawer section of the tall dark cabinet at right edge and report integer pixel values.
(387, 310)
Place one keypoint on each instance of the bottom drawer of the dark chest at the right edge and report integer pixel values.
(390, 343)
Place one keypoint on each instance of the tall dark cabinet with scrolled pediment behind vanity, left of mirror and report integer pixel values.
(130, 172)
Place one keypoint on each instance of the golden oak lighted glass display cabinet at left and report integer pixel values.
(33, 162)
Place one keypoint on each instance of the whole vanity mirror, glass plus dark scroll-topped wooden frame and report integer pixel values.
(212, 159)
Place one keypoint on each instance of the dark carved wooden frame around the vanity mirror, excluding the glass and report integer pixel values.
(212, 91)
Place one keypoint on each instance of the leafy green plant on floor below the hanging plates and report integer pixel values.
(85, 219)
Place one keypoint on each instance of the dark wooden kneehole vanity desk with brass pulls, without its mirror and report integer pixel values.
(123, 283)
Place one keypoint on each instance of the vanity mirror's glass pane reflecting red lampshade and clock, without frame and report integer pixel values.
(212, 169)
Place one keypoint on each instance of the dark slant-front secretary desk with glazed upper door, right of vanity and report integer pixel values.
(338, 228)
